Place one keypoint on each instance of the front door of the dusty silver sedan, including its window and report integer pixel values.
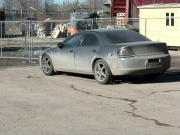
(64, 58)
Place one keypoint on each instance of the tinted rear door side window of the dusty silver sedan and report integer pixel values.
(90, 40)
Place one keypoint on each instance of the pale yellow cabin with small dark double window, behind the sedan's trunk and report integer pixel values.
(161, 22)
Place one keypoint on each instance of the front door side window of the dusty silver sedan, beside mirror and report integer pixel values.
(73, 41)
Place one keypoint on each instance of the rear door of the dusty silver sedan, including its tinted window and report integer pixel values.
(86, 52)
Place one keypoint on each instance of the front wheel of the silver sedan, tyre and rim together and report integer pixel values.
(47, 66)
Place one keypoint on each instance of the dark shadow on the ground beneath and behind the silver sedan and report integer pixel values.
(167, 77)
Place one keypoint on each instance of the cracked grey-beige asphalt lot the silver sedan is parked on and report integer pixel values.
(72, 104)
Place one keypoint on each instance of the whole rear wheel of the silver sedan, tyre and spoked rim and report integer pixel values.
(102, 72)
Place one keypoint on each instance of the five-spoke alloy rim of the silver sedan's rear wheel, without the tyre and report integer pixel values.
(100, 72)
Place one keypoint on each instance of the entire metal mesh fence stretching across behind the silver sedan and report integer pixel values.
(23, 39)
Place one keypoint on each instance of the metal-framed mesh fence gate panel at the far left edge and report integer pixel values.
(15, 41)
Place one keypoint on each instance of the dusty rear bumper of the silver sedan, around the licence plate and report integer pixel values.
(137, 65)
